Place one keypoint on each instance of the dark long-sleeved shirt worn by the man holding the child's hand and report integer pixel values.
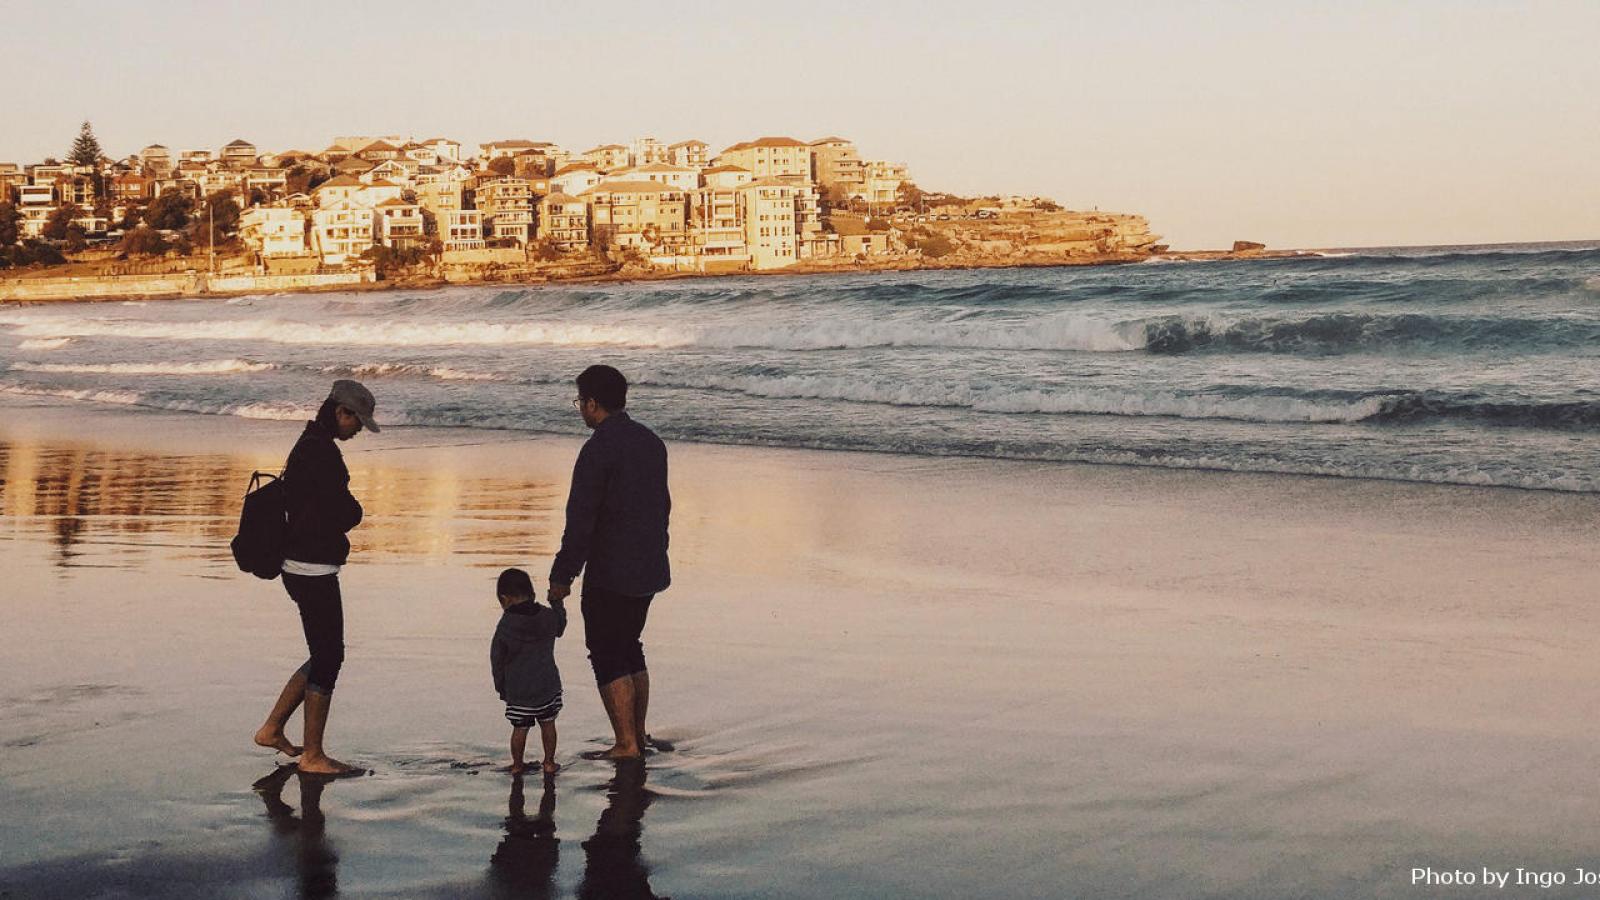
(617, 513)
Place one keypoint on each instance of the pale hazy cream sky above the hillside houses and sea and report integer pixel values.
(1295, 124)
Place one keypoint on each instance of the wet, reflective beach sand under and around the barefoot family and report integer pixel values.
(886, 677)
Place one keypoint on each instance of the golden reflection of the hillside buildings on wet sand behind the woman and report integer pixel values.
(113, 508)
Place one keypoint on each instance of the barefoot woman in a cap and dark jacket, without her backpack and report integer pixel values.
(321, 512)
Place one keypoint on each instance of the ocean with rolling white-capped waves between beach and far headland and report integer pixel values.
(1457, 366)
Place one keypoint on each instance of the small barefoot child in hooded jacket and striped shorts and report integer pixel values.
(522, 657)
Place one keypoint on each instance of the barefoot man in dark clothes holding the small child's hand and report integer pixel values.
(617, 526)
